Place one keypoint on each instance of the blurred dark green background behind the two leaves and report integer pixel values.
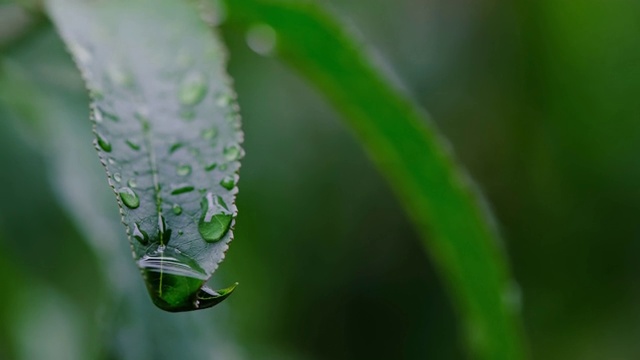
(539, 100)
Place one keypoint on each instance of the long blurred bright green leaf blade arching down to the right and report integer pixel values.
(457, 230)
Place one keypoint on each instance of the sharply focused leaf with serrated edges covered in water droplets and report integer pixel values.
(168, 133)
